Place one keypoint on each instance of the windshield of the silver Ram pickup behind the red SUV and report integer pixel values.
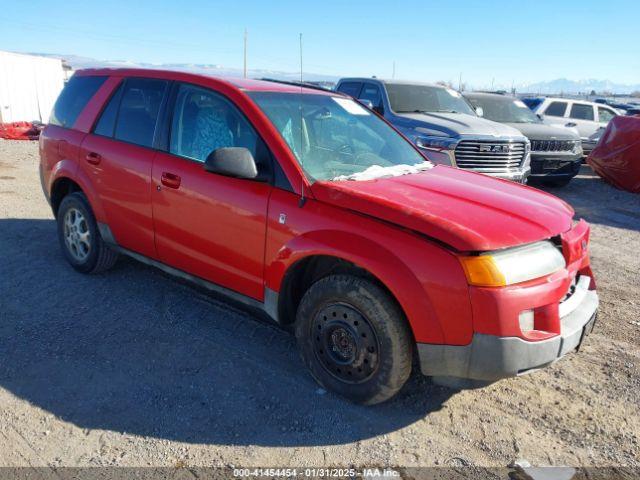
(426, 98)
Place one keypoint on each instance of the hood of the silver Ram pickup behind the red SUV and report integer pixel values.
(456, 124)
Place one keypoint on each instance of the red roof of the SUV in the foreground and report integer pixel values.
(245, 84)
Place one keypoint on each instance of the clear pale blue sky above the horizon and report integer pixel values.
(509, 41)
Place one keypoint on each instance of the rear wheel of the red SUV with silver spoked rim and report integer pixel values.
(95, 256)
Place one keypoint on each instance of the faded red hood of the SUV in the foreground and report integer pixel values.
(465, 210)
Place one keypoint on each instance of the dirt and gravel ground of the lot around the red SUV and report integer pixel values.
(135, 368)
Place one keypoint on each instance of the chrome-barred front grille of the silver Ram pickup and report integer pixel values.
(490, 155)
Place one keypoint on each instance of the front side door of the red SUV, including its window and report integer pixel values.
(209, 225)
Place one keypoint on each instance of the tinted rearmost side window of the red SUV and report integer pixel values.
(73, 98)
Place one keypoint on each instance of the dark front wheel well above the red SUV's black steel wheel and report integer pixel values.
(305, 273)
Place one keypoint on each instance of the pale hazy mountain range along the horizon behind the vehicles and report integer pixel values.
(561, 85)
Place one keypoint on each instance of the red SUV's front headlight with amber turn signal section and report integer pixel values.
(512, 265)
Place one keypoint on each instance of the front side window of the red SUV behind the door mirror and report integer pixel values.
(204, 121)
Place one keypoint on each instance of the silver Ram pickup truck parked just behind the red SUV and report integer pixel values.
(441, 122)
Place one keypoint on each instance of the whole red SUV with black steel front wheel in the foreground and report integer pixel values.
(310, 207)
